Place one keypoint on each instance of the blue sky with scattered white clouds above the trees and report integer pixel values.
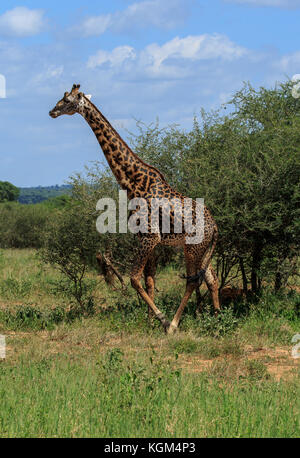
(140, 59)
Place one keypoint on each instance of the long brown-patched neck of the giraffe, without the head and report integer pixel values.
(132, 174)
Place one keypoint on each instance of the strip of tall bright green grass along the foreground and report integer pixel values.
(103, 397)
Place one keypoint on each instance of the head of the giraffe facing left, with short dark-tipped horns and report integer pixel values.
(70, 103)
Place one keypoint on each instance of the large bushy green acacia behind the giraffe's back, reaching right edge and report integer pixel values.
(246, 166)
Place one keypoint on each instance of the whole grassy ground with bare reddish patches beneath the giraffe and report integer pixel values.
(110, 374)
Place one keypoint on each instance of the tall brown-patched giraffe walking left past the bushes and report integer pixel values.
(143, 180)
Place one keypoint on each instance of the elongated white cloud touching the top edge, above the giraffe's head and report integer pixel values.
(148, 13)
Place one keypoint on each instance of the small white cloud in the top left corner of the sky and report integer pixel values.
(21, 22)
